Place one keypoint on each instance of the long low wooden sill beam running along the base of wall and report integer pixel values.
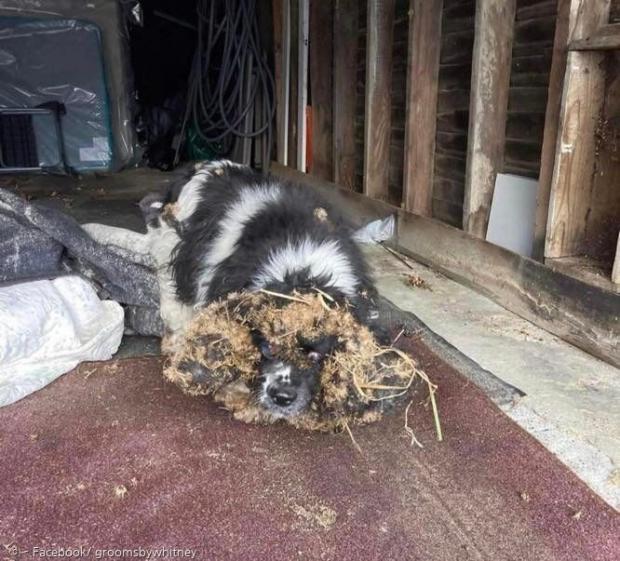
(582, 314)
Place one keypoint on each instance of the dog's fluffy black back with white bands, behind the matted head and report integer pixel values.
(240, 230)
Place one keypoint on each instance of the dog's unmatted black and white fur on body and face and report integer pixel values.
(234, 229)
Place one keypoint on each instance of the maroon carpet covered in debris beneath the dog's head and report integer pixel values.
(111, 456)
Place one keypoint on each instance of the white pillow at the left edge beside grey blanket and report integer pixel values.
(47, 328)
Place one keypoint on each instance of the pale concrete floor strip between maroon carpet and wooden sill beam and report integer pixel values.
(571, 399)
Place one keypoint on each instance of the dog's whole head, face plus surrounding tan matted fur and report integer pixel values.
(269, 356)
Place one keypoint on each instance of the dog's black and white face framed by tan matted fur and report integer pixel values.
(286, 385)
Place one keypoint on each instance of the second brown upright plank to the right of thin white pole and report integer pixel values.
(346, 14)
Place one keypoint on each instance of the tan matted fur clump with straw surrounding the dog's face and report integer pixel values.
(359, 380)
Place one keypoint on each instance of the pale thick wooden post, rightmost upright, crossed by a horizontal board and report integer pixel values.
(582, 103)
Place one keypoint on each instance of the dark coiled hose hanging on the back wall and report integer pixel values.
(231, 86)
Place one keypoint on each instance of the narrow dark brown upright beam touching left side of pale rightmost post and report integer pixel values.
(552, 120)
